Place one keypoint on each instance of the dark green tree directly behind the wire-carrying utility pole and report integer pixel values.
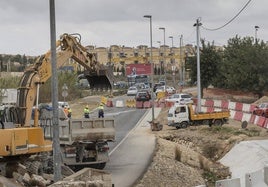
(210, 59)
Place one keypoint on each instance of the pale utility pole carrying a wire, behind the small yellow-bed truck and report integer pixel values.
(197, 25)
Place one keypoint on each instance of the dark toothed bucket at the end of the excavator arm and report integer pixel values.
(101, 80)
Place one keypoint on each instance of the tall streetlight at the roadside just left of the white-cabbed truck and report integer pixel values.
(152, 65)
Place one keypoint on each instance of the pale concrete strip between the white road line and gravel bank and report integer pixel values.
(133, 154)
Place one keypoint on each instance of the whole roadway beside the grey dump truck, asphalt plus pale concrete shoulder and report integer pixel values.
(132, 151)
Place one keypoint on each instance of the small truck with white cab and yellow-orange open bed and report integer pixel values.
(182, 115)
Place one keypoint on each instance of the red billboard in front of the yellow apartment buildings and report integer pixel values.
(138, 69)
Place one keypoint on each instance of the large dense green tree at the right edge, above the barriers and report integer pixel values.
(245, 65)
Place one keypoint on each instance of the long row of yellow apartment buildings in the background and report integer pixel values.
(164, 58)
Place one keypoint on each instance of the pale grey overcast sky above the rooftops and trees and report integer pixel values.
(25, 26)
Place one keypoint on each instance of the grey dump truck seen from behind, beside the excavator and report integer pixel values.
(83, 141)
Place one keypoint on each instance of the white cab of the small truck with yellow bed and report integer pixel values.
(178, 116)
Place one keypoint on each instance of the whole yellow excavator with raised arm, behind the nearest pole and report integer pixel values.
(19, 139)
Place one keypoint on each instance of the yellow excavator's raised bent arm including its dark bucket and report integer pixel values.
(67, 47)
